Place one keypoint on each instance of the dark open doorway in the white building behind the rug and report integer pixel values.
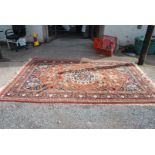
(73, 31)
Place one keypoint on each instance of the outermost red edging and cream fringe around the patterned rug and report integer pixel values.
(22, 69)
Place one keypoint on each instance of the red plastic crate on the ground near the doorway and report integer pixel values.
(105, 45)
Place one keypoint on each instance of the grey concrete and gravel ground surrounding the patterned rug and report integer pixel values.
(26, 115)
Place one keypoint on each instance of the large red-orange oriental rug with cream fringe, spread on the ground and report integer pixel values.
(65, 81)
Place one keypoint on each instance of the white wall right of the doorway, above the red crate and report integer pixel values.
(125, 34)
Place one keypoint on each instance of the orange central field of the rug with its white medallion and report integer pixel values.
(84, 77)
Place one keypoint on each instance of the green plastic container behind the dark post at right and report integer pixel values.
(139, 44)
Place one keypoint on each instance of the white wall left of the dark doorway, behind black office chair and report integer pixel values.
(29, 31)
